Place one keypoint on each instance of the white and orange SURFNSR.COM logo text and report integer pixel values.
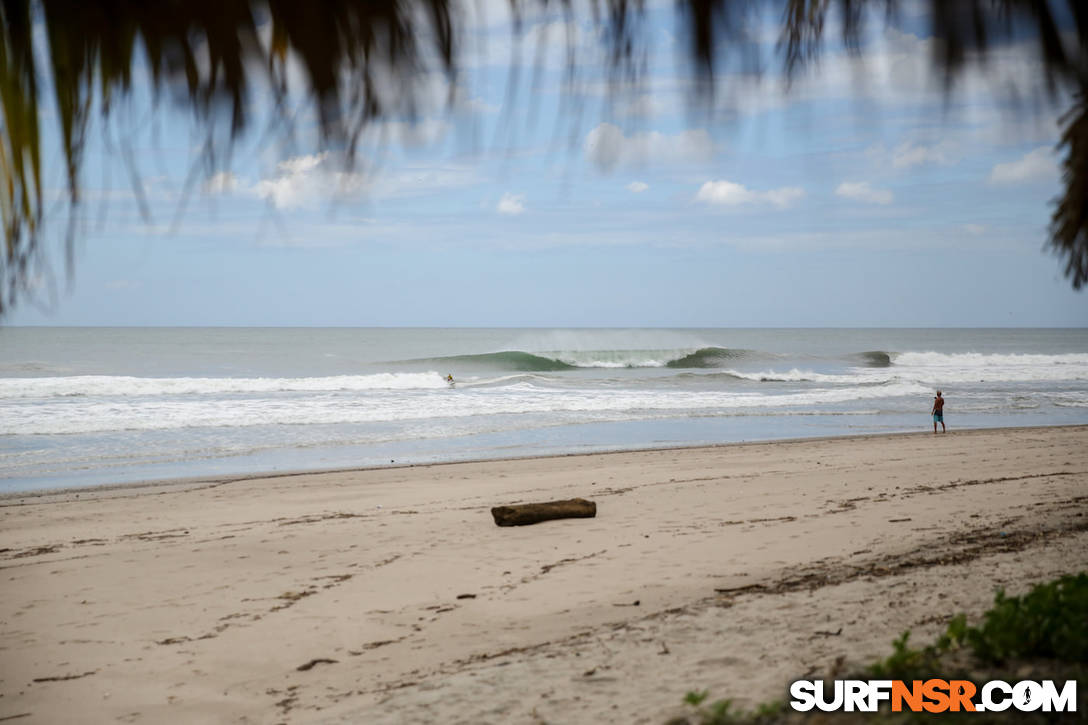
(934, 696)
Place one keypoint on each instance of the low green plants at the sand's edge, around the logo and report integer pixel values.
(1043, 635)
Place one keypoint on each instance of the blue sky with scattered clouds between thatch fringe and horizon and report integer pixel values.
(863, 198)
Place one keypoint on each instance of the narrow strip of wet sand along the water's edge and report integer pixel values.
(151, 487)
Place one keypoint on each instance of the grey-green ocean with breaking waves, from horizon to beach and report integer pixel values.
(91, 407)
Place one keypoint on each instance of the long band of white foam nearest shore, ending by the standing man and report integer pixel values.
(79, 415)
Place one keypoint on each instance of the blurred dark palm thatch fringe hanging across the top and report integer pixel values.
(209, 55)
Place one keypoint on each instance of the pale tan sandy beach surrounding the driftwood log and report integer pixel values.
(389, 596)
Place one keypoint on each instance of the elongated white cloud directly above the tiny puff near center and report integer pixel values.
(608, 146)
